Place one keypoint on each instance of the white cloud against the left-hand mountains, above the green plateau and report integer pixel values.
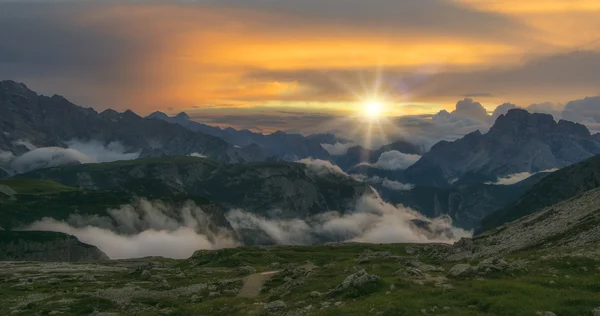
(79, 152)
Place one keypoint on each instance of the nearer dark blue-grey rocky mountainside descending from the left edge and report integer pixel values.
(26, 117)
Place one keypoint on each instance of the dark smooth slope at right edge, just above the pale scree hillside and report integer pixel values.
(561, 185)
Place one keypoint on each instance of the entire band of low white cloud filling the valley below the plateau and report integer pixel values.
(147, 228)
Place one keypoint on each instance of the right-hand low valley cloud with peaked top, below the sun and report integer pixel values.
(371, 221)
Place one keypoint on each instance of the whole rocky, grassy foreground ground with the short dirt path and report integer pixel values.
(335, 279)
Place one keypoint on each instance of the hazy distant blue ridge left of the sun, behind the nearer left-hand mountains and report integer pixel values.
(286, 146)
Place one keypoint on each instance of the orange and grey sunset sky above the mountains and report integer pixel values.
(270, 64)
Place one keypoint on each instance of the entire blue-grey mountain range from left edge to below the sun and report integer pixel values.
(29, 121)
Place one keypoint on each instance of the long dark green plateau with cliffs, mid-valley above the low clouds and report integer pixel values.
(257, 187)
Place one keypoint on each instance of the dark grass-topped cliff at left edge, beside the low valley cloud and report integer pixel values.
(46, 246)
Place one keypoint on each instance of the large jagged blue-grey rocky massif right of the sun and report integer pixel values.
(518, 142)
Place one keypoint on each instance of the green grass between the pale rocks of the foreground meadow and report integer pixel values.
(564, 285)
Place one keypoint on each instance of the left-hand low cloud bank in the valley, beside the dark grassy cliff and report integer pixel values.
(144, 229)
